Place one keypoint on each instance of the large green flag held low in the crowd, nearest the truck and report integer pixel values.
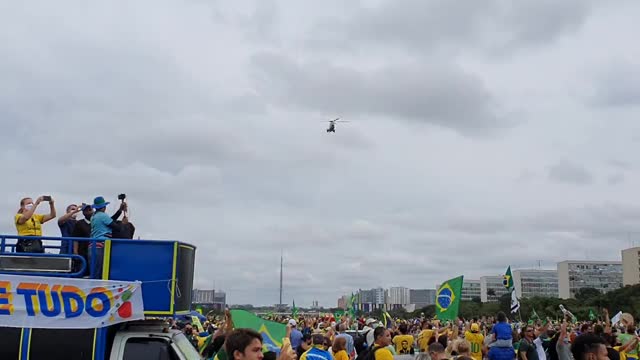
(272, 332)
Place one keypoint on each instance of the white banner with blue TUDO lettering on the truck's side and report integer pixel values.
(67, 303)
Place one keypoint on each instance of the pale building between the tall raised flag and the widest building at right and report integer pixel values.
(535, 282)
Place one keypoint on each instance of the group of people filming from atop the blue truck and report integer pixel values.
(95, 224)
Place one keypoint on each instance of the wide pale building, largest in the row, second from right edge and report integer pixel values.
(575, 275)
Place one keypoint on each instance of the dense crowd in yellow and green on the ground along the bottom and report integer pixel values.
(493, 338)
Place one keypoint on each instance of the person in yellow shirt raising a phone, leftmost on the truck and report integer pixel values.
(28, 223)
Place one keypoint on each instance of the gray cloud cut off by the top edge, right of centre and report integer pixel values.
(423, 27)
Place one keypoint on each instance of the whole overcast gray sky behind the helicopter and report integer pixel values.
(480, 135)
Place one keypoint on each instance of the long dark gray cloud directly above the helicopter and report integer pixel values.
(437, 93)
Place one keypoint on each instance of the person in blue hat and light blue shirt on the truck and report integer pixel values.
(101, 229)
